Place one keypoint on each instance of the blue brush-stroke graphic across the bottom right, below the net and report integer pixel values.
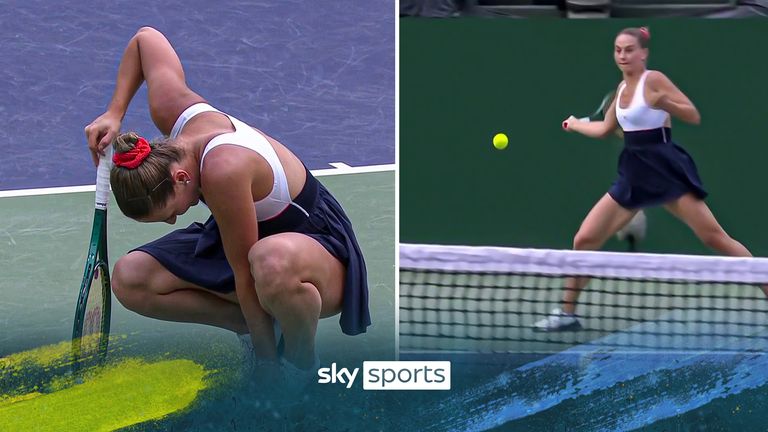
(598, 387)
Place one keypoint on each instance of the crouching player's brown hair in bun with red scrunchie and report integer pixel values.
(141, 174)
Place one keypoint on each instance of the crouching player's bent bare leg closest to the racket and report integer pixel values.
(144, 286)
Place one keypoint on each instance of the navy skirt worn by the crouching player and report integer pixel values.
(196, 253)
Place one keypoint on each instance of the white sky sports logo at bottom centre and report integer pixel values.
(391, 375)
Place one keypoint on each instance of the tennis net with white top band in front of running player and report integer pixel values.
(486, 299)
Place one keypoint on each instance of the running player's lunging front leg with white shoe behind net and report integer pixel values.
(603, 221)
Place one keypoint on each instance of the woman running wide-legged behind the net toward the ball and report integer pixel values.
(653, 169)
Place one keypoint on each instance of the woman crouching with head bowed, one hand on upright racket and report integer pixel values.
(278, 247)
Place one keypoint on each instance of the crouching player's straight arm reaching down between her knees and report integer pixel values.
(226, 186)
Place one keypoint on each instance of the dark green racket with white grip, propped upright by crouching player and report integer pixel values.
(90, 334)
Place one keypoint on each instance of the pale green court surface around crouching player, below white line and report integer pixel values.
(44, 240)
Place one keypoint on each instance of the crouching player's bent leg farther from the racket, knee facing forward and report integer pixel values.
(298, 282)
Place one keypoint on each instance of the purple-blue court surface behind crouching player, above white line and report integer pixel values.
(317, 76)
